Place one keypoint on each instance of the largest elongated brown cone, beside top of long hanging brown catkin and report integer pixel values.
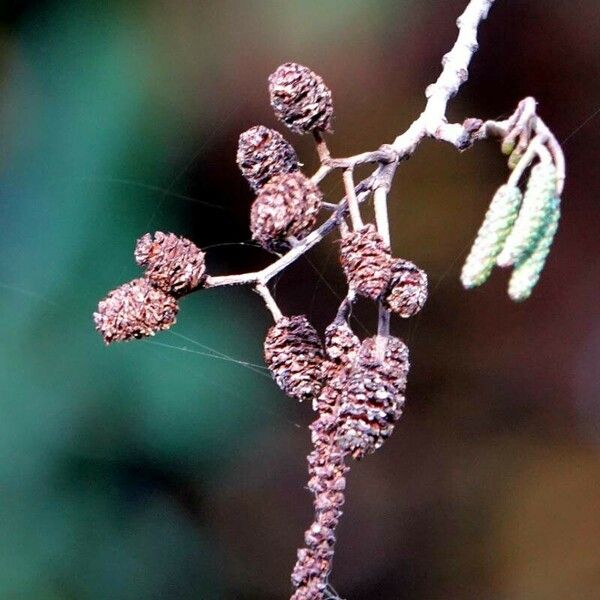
(373, 395)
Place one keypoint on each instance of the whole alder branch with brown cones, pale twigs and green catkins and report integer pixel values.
(357, 387)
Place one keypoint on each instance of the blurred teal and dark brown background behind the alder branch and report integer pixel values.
(165, 469)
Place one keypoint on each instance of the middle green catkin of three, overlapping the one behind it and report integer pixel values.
(531, 222)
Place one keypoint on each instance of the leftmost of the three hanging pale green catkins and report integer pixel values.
(491, 236)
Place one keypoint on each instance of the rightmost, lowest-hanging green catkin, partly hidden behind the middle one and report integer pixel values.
(527, 272)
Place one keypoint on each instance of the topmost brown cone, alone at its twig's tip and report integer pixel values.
(300, 99)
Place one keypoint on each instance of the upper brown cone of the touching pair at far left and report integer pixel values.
(174, 264)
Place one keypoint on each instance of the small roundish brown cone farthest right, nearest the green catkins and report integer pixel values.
(407, 291)
